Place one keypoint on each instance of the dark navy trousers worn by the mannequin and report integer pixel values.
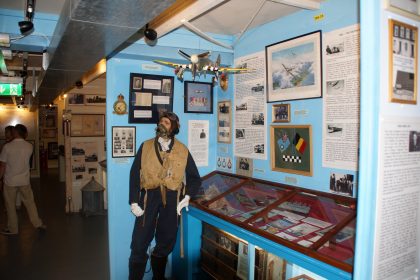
(159, 221)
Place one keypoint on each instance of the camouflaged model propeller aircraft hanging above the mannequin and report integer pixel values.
(201, 64)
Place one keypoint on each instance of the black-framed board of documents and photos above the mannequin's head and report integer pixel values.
(150, 96)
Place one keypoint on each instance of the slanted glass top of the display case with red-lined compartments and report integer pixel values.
(320, 225)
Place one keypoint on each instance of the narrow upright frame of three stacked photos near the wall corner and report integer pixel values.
(224, 122)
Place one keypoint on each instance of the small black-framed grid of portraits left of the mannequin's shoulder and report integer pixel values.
(123, 141)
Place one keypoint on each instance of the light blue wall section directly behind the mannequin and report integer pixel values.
(119, 67)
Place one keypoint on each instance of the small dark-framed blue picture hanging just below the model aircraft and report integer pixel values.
(198, 97)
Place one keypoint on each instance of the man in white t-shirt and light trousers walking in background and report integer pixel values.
(15, 170)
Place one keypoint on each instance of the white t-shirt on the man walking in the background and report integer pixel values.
(16, 155)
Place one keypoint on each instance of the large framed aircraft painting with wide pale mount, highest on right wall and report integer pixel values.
(294, 68)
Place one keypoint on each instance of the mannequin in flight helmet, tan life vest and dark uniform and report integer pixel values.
(163, 178)
